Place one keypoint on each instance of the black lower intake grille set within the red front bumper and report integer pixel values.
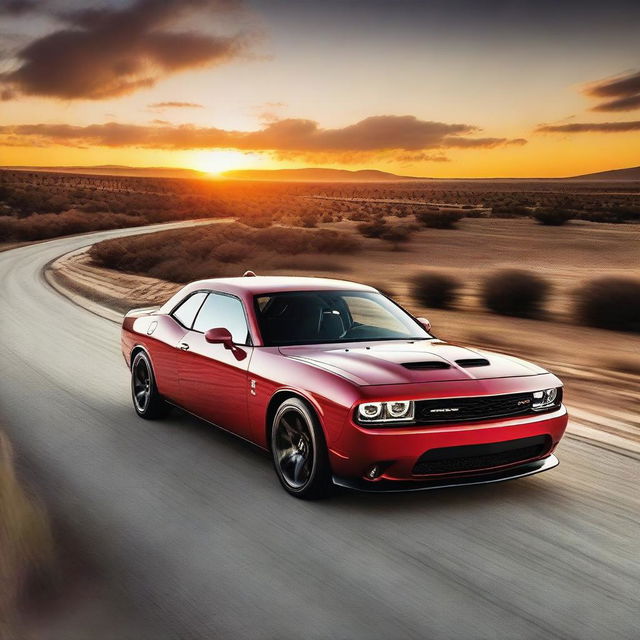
(481, 456)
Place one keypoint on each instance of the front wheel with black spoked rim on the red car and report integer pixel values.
(299, 451)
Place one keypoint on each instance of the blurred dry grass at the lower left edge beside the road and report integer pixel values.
(26, 543)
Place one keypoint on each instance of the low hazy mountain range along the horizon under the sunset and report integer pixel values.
(314, 174)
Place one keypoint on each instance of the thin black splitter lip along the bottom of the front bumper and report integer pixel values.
(390, 486)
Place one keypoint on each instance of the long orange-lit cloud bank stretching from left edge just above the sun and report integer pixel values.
(376, 134)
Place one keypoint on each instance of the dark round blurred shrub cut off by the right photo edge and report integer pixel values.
(609, 303)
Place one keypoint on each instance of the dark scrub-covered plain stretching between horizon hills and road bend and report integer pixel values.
(39, 205)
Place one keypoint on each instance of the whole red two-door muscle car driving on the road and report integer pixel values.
(342, 386)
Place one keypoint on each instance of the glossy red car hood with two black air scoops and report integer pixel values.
(406, 362)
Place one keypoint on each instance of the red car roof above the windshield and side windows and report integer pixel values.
(273, 284)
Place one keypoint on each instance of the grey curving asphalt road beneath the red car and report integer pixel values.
(194, 525)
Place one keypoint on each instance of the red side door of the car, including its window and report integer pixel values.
(214, 379)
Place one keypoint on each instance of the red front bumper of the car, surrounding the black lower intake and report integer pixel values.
(397, 450)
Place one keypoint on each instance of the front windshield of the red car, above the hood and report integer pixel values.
(317, 317)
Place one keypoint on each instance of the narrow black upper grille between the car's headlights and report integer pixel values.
(475, 408)
